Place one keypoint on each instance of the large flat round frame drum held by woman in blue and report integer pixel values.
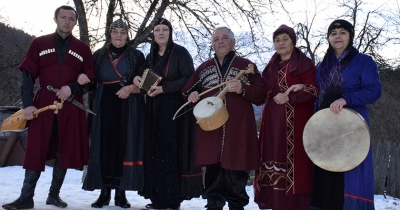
(336, 142)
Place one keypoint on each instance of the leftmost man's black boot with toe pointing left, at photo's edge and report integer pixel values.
(25, 200)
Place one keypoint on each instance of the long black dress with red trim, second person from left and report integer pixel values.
(117, 131)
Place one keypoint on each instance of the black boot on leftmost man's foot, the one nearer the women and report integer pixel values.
(56, 183)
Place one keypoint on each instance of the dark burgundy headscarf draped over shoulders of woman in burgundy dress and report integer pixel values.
(299, 62)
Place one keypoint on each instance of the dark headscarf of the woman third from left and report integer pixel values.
(154, 47)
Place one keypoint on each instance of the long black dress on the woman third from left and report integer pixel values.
(170, 174)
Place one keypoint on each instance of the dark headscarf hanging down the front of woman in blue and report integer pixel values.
(331, 67)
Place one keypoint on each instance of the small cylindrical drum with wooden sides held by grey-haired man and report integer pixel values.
(210, 113)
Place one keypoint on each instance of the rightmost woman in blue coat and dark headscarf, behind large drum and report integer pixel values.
(345, 78)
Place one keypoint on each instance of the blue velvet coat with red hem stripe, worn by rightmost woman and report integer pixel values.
(361, 86)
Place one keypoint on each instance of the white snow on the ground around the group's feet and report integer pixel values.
(11, 179)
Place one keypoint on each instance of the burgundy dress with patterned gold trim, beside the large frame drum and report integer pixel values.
(283, 181)
